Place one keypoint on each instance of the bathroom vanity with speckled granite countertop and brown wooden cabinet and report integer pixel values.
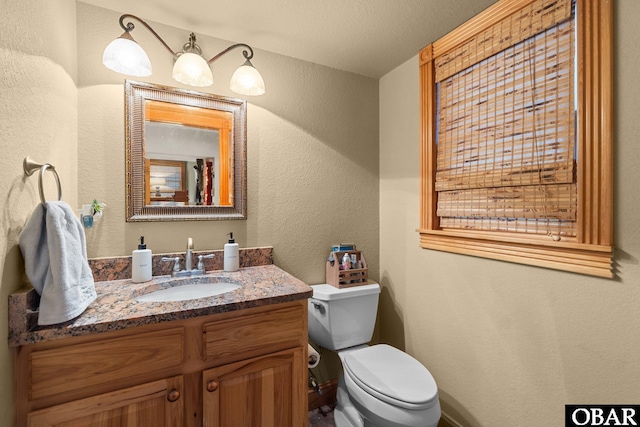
(237, 359)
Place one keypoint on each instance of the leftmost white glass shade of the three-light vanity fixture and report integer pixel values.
(125, 56)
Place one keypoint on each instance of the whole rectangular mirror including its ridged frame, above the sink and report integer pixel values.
(186, 154)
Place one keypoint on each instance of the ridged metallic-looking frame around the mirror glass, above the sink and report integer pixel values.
(136, 95)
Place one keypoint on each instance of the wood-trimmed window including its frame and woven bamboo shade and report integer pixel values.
(516, 136)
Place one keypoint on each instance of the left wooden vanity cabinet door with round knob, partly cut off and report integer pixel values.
(155, 404)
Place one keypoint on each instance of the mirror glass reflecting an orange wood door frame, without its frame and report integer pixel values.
(187, 156)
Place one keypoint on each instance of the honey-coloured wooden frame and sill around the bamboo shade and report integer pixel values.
(591, 252)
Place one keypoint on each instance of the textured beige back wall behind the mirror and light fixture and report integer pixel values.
(312, 153)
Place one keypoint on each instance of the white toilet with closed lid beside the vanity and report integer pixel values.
(380, 385)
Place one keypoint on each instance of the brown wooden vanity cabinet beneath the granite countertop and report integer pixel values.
(243, 368)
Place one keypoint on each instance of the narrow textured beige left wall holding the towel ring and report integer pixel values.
(38, 114)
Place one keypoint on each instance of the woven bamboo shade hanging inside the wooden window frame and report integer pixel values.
(505, 157)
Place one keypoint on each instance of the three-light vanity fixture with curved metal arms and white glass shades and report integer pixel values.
(124, 55)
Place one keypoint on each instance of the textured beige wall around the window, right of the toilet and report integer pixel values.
(510, 345)
